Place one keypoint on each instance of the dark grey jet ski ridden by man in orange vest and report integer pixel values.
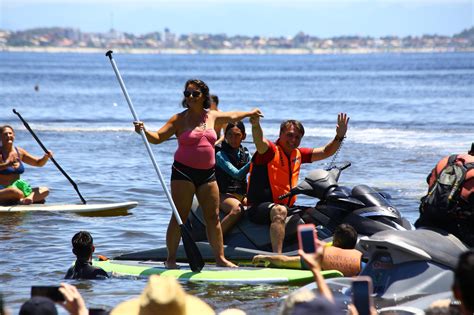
(361, 206)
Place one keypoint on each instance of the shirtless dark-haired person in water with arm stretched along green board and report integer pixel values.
(340, 255)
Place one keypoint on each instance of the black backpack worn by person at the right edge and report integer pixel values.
(443, 198)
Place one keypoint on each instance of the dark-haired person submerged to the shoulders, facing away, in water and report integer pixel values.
(83, 247)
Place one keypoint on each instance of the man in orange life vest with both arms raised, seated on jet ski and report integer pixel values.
(274, 171)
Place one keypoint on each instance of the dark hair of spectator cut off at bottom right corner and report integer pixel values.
(464, 279)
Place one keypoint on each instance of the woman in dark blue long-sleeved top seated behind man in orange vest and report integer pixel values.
(232, 166)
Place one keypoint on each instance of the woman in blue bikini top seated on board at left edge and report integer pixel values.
(12, 159)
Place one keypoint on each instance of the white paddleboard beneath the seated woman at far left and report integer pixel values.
(87, 209)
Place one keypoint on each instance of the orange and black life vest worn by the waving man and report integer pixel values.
(268, 182)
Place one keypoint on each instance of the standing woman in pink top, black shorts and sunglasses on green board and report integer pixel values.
(193, 170)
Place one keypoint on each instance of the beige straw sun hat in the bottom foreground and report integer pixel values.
(164, 296)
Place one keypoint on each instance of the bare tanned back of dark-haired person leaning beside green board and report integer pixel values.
(346, 261)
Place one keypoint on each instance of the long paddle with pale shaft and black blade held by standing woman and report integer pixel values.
(192, 252)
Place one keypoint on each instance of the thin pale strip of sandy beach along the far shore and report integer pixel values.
(288, 51)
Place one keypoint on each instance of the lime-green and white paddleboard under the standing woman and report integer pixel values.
(212, 273)
